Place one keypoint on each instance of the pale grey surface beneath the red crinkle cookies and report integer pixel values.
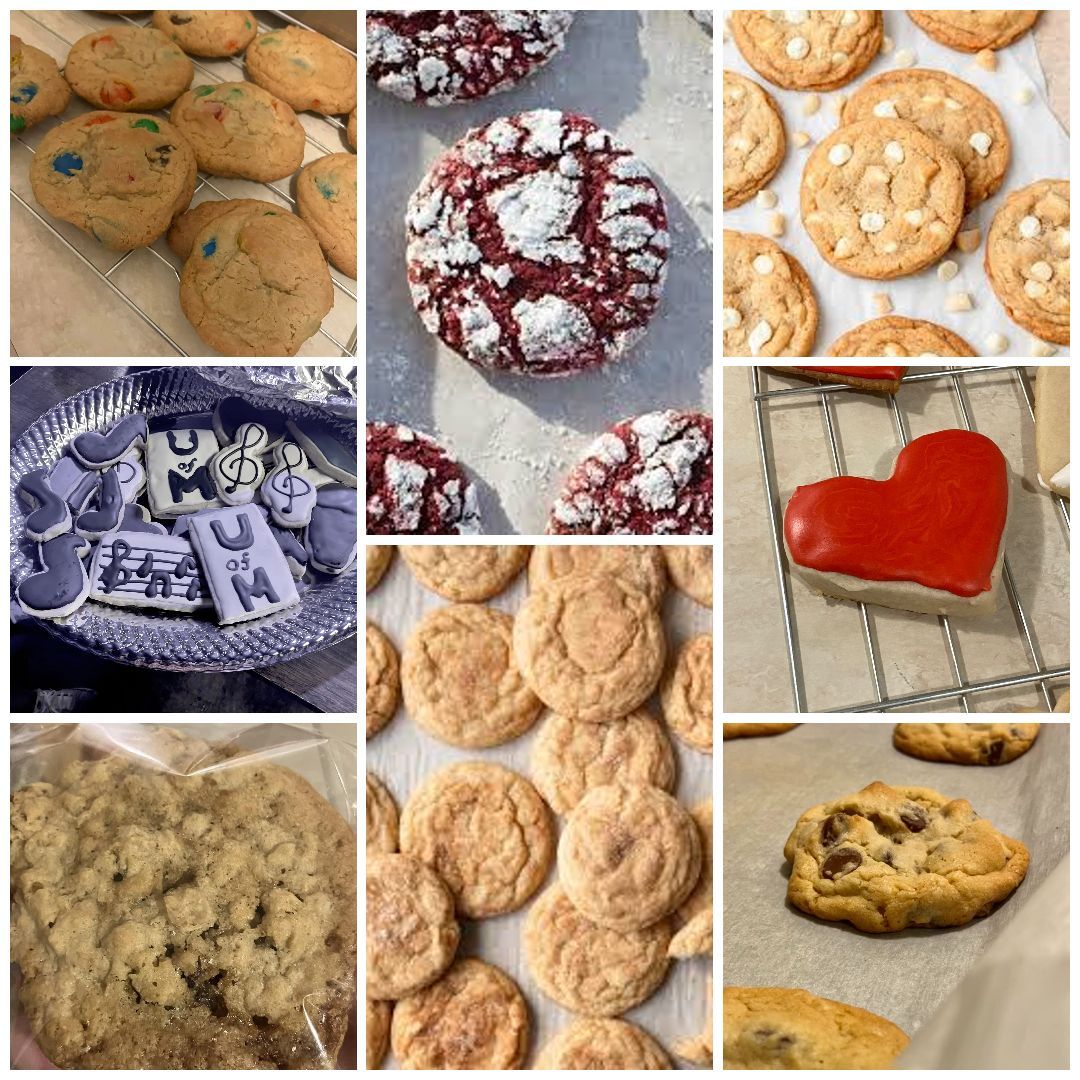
(645, 77)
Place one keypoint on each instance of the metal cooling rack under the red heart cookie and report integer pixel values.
(962, 690)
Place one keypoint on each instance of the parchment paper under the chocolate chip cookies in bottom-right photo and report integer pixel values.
(771, 782)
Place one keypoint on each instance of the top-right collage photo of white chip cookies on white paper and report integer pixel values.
(897, 183)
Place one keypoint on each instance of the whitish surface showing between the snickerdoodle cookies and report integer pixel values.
(402, 755)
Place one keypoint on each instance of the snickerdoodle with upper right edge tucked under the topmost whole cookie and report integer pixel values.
(461, 681)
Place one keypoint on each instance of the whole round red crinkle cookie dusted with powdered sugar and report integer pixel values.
(537, 245)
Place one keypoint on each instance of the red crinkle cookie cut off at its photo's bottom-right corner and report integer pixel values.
(650, 475)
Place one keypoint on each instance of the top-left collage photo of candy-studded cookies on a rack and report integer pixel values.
(184, 184)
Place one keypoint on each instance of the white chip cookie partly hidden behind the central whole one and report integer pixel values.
(951, 111)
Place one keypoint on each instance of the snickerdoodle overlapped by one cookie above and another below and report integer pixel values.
(572, 758)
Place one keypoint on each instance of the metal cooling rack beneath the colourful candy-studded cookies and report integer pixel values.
(341, 283)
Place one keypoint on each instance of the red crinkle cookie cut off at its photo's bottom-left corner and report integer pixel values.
(414, 487)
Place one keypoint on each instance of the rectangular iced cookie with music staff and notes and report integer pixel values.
(136, 570)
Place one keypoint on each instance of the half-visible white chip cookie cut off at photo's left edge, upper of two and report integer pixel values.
(754, 140)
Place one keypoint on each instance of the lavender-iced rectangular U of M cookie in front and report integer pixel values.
(245, 568)
